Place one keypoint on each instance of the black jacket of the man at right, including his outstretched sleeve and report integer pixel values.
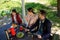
(46, 26)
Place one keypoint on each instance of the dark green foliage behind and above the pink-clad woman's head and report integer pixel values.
(35, 6)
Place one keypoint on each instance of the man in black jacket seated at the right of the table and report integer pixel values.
(44, 29)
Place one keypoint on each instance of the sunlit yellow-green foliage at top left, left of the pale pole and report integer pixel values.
(7, 5)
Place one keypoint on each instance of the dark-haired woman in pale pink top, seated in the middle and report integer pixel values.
(31, 17)
